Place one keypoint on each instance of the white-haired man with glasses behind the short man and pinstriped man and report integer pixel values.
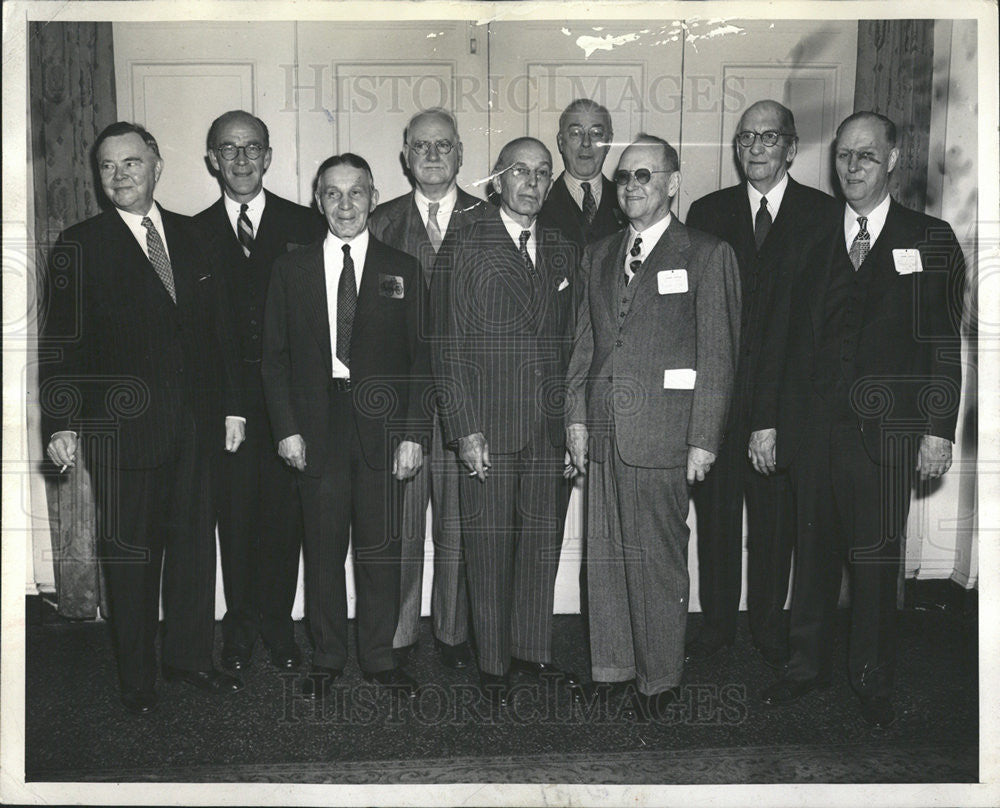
(417, 223)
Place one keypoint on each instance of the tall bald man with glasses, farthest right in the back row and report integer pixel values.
(768, 219)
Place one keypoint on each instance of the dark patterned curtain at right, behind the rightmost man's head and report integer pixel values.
(895, 72)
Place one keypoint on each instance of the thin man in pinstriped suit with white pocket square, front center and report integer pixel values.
(501, 308)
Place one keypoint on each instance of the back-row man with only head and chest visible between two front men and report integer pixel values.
(583, 203)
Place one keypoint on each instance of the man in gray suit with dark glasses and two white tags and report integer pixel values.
(649, 383)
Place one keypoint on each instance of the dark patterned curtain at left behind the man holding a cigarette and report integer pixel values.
(72, 98)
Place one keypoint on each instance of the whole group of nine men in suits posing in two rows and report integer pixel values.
(325, 377)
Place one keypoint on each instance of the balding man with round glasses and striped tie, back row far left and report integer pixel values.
(260, 522)
